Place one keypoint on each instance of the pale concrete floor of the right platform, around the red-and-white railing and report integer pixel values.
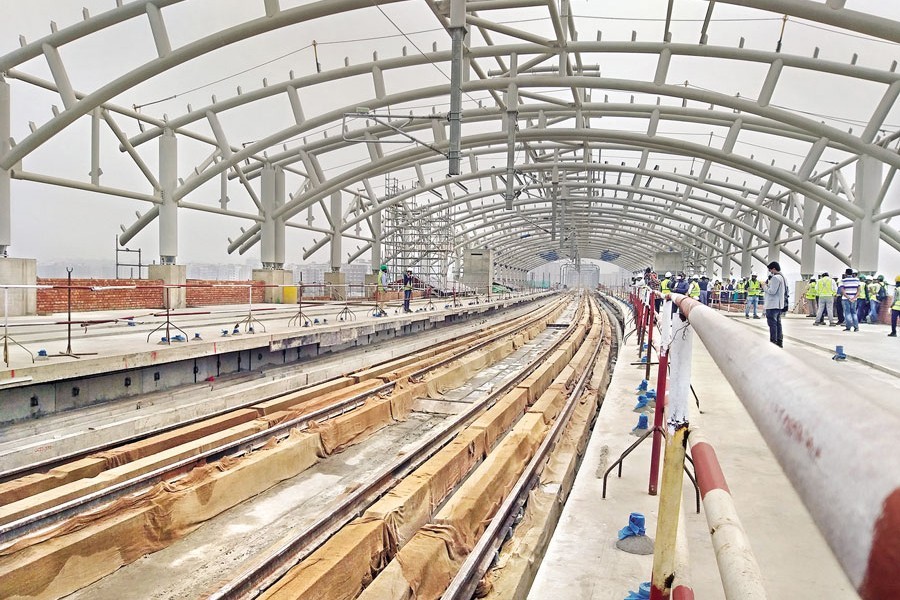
(582, 560)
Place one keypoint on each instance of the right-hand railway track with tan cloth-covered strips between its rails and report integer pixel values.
(403, 550)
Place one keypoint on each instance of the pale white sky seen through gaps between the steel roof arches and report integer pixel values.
(52, 222)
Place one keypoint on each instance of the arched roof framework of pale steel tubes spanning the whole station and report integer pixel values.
(568, 147)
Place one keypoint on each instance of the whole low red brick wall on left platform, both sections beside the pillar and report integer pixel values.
(146, 295)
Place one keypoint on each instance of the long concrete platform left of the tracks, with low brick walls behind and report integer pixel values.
(120, 362)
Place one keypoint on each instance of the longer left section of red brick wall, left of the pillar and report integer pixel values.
(147, 294)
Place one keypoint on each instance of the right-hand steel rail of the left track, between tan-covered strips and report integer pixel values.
(235, 448)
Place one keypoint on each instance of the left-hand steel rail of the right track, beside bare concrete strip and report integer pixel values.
(266, 572)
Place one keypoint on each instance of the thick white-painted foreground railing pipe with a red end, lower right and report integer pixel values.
(839, 451)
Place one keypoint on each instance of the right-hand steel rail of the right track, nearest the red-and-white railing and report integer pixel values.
(463, 585)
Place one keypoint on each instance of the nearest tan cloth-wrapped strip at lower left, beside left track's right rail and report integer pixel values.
(63, 559)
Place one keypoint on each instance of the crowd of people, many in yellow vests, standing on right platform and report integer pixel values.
(849, 300)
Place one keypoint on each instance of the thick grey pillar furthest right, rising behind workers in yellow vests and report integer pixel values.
(866, 231)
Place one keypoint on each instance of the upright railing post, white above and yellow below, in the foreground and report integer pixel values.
(679, 343)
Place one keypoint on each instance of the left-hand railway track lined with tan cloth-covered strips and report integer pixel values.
(320, 412)
